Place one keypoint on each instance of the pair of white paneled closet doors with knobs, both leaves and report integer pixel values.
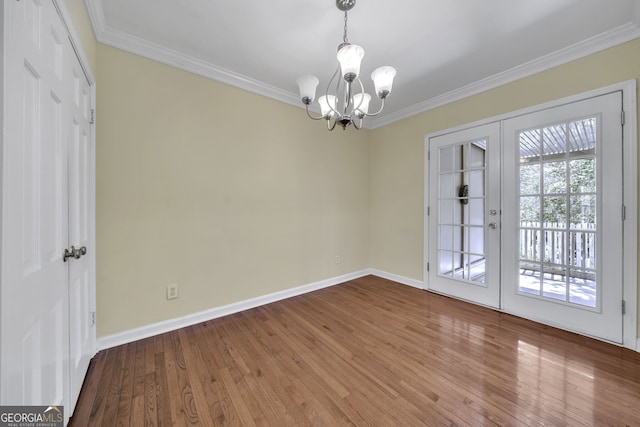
(48, 334)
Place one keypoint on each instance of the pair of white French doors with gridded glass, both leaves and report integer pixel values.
(525, 216)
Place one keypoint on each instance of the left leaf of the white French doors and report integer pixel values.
(464, 200)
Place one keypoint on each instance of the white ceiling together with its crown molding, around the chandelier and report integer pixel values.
(442, 49)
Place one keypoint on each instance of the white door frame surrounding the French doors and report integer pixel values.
(630, 193)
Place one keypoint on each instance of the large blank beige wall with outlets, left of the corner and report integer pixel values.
(229, 194)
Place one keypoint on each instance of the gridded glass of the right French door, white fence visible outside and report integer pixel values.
(558, 206)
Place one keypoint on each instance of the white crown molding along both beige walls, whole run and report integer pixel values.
(121, 40)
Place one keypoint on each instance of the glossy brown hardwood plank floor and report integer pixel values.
(369, 352)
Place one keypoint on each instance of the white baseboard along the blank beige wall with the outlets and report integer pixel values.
(195, 318)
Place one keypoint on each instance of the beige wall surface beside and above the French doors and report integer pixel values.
(397, 150)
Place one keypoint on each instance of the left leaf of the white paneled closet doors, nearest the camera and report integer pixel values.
(35, 312)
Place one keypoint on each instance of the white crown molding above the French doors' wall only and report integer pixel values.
(579, 50)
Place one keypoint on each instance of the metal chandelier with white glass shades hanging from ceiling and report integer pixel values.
(348, 104)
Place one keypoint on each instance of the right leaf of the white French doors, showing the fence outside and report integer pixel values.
(563, 169)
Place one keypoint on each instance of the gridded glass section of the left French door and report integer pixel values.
(461, 240)
